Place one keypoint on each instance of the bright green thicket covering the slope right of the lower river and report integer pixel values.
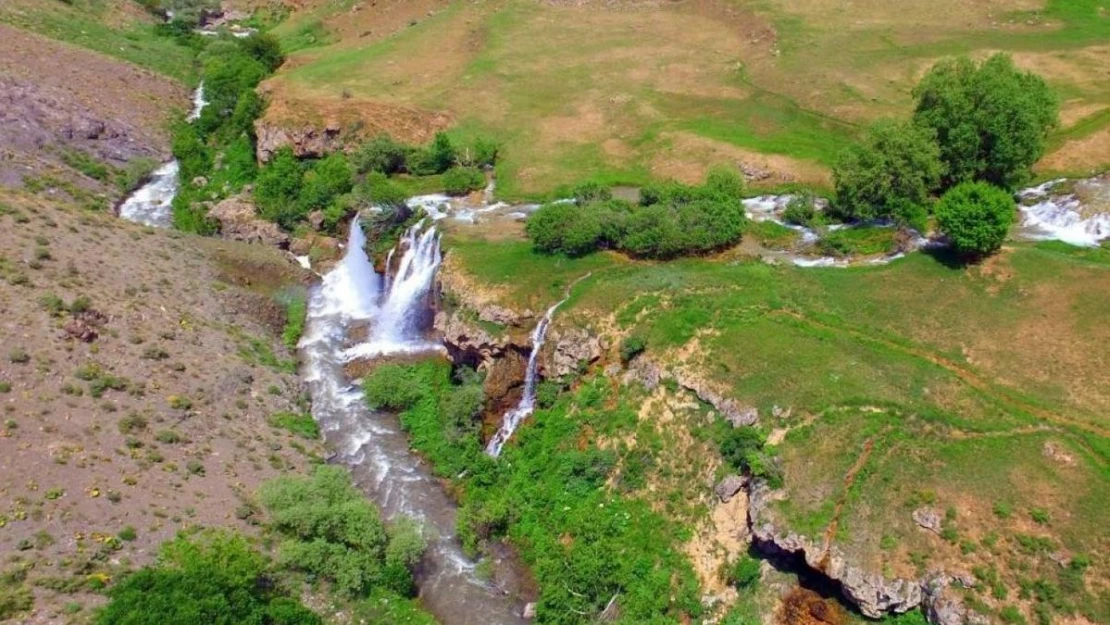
(549, 495)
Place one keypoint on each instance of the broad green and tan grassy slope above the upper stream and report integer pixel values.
(622, 93)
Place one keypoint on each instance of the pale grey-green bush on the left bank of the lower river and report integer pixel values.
(332, 532)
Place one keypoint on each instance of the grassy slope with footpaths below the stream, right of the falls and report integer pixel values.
(980, 391)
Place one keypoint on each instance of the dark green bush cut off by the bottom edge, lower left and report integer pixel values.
(214, 578)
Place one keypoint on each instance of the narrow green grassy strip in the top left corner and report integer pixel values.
(117, 28)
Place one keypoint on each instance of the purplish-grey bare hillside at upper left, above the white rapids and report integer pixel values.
(59, 102)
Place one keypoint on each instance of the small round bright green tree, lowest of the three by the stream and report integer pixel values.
(976, 217)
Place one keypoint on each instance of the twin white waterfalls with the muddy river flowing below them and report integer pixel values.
(372, 446)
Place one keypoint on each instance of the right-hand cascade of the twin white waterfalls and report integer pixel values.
(397, 324)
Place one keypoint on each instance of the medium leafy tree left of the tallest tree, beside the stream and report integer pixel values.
(889, 175)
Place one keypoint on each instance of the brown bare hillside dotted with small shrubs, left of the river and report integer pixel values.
(138, 378)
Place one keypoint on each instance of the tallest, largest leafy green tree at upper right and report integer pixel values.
(991, 119)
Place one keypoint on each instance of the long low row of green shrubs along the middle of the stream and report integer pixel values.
(671, 220)
